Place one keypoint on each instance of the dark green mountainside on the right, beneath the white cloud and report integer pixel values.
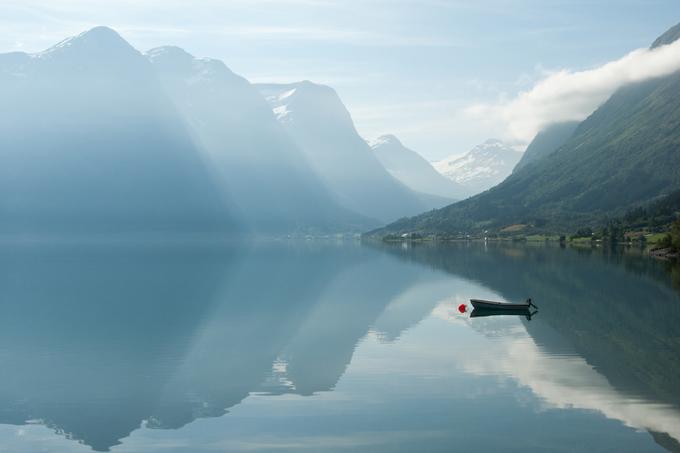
(624, 155)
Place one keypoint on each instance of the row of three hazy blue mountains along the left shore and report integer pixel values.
(104, 139)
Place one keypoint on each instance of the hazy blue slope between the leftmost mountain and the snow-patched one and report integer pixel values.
(270, 179)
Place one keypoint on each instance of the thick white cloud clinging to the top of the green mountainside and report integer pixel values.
(573, 95)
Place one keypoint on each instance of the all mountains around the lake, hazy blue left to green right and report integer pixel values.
(102, 139)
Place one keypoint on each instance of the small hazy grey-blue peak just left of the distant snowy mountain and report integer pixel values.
(413, 170)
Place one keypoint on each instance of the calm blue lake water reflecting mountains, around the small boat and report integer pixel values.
(335, 347)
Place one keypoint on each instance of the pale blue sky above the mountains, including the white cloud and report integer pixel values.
(441, 75)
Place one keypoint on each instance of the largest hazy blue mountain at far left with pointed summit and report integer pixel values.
(92, 145)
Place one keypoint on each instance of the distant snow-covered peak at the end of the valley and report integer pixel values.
(483, 167)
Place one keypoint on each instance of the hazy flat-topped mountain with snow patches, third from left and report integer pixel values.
(321, 126)
